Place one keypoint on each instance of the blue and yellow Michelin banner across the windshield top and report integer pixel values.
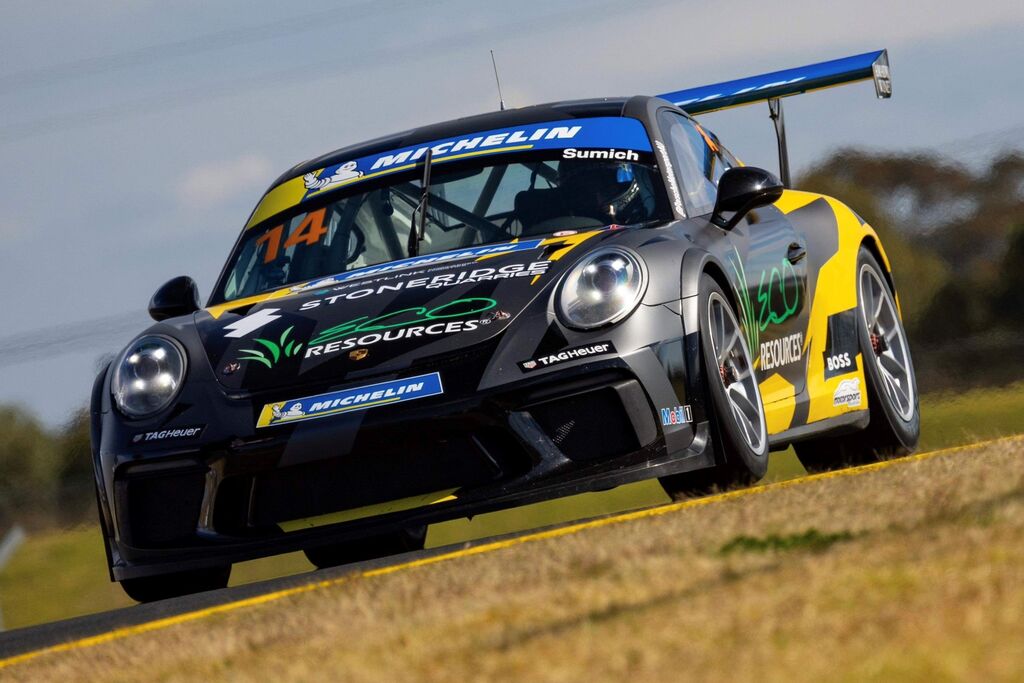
(595, 134)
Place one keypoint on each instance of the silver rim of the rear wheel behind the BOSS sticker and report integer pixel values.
(889, 349)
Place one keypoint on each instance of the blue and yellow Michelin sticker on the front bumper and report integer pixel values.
(350, 401)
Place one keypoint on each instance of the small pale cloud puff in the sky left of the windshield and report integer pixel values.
(220, 182)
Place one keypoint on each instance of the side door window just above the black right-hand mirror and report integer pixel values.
(698, 166)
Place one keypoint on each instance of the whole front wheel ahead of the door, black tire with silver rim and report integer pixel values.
(740, 435)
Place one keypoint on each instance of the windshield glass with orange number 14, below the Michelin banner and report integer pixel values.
(472, 202)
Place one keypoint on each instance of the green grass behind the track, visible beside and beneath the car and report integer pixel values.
(63, 574)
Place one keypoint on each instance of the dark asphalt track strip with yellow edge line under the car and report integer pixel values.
(83, 632)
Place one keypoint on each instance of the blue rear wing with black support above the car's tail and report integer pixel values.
(773, 88)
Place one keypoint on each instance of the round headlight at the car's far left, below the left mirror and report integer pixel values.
(149, 376)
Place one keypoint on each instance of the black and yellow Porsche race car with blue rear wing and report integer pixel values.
(494, 312)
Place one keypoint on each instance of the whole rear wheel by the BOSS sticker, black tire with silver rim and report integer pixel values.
(892, 389)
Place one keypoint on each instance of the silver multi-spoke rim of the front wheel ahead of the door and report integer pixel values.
(737, 373)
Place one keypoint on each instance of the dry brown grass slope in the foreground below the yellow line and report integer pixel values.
(911, 573)
